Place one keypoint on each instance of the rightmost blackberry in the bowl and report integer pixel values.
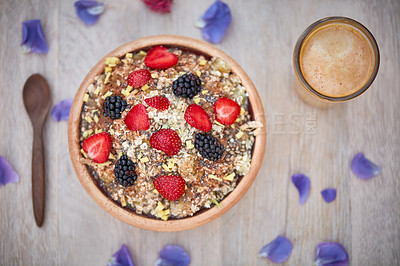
(208, 146)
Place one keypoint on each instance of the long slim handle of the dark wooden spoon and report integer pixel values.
(38, 174)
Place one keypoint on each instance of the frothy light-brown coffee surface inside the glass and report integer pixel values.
(336, 60)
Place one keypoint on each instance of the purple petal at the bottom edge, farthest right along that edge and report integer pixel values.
(331, 254)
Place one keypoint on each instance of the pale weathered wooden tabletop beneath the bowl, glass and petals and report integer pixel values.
(365, 217)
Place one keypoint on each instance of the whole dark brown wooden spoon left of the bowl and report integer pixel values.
(36, 94)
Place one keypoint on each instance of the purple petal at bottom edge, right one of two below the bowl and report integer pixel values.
(172, 255)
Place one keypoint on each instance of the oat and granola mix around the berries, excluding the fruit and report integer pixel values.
(207, 182)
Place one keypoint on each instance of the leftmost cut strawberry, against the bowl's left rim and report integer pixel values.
(97, 147)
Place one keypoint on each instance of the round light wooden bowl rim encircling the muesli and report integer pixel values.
(127, 215)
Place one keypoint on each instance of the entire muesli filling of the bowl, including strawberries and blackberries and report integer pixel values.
(167, 133)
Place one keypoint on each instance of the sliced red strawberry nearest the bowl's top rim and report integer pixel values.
(159, 58)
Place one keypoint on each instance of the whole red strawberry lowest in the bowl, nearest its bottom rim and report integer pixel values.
(171, 187)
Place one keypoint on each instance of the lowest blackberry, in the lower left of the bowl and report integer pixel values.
(125, 171)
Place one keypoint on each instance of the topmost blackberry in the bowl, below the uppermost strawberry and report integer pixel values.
(187, 86)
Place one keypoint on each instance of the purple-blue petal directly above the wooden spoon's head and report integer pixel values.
(33, 39)
